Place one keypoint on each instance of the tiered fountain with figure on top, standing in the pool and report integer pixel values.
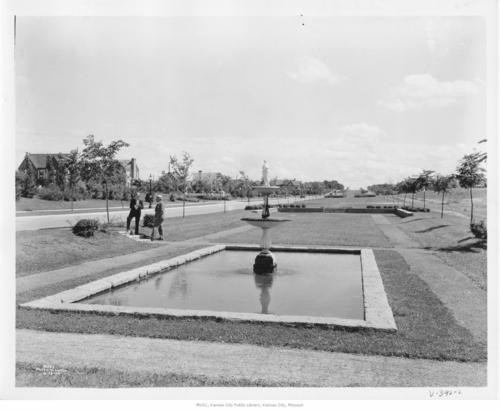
(265, 261)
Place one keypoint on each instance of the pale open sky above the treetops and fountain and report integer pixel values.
(362, 100)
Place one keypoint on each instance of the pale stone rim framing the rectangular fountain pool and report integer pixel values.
(378, 314)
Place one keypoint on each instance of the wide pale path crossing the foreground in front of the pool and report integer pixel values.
(267, 365)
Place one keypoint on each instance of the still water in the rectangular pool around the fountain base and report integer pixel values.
(305, 284)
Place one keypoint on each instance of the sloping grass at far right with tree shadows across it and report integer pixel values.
(451, 240)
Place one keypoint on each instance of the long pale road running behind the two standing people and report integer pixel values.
(34, 222)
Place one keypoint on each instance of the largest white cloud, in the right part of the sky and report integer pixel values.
(420, 91)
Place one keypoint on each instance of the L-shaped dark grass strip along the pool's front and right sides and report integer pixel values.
(426, 328)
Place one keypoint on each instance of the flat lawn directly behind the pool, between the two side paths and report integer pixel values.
(319, 229)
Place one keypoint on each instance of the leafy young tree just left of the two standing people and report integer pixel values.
(98, 162)
